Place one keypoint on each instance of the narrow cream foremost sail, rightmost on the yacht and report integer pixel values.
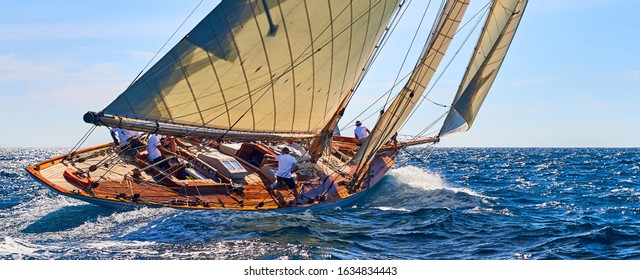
(488, 56)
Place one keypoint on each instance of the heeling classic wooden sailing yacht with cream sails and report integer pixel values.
(257, 77)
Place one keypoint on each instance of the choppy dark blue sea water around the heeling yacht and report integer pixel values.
(459, 204)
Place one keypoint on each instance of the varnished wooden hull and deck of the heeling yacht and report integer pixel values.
(108, 176)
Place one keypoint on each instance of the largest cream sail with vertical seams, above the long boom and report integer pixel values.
(266, 66)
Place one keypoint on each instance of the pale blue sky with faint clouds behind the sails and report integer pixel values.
(571, 78)
